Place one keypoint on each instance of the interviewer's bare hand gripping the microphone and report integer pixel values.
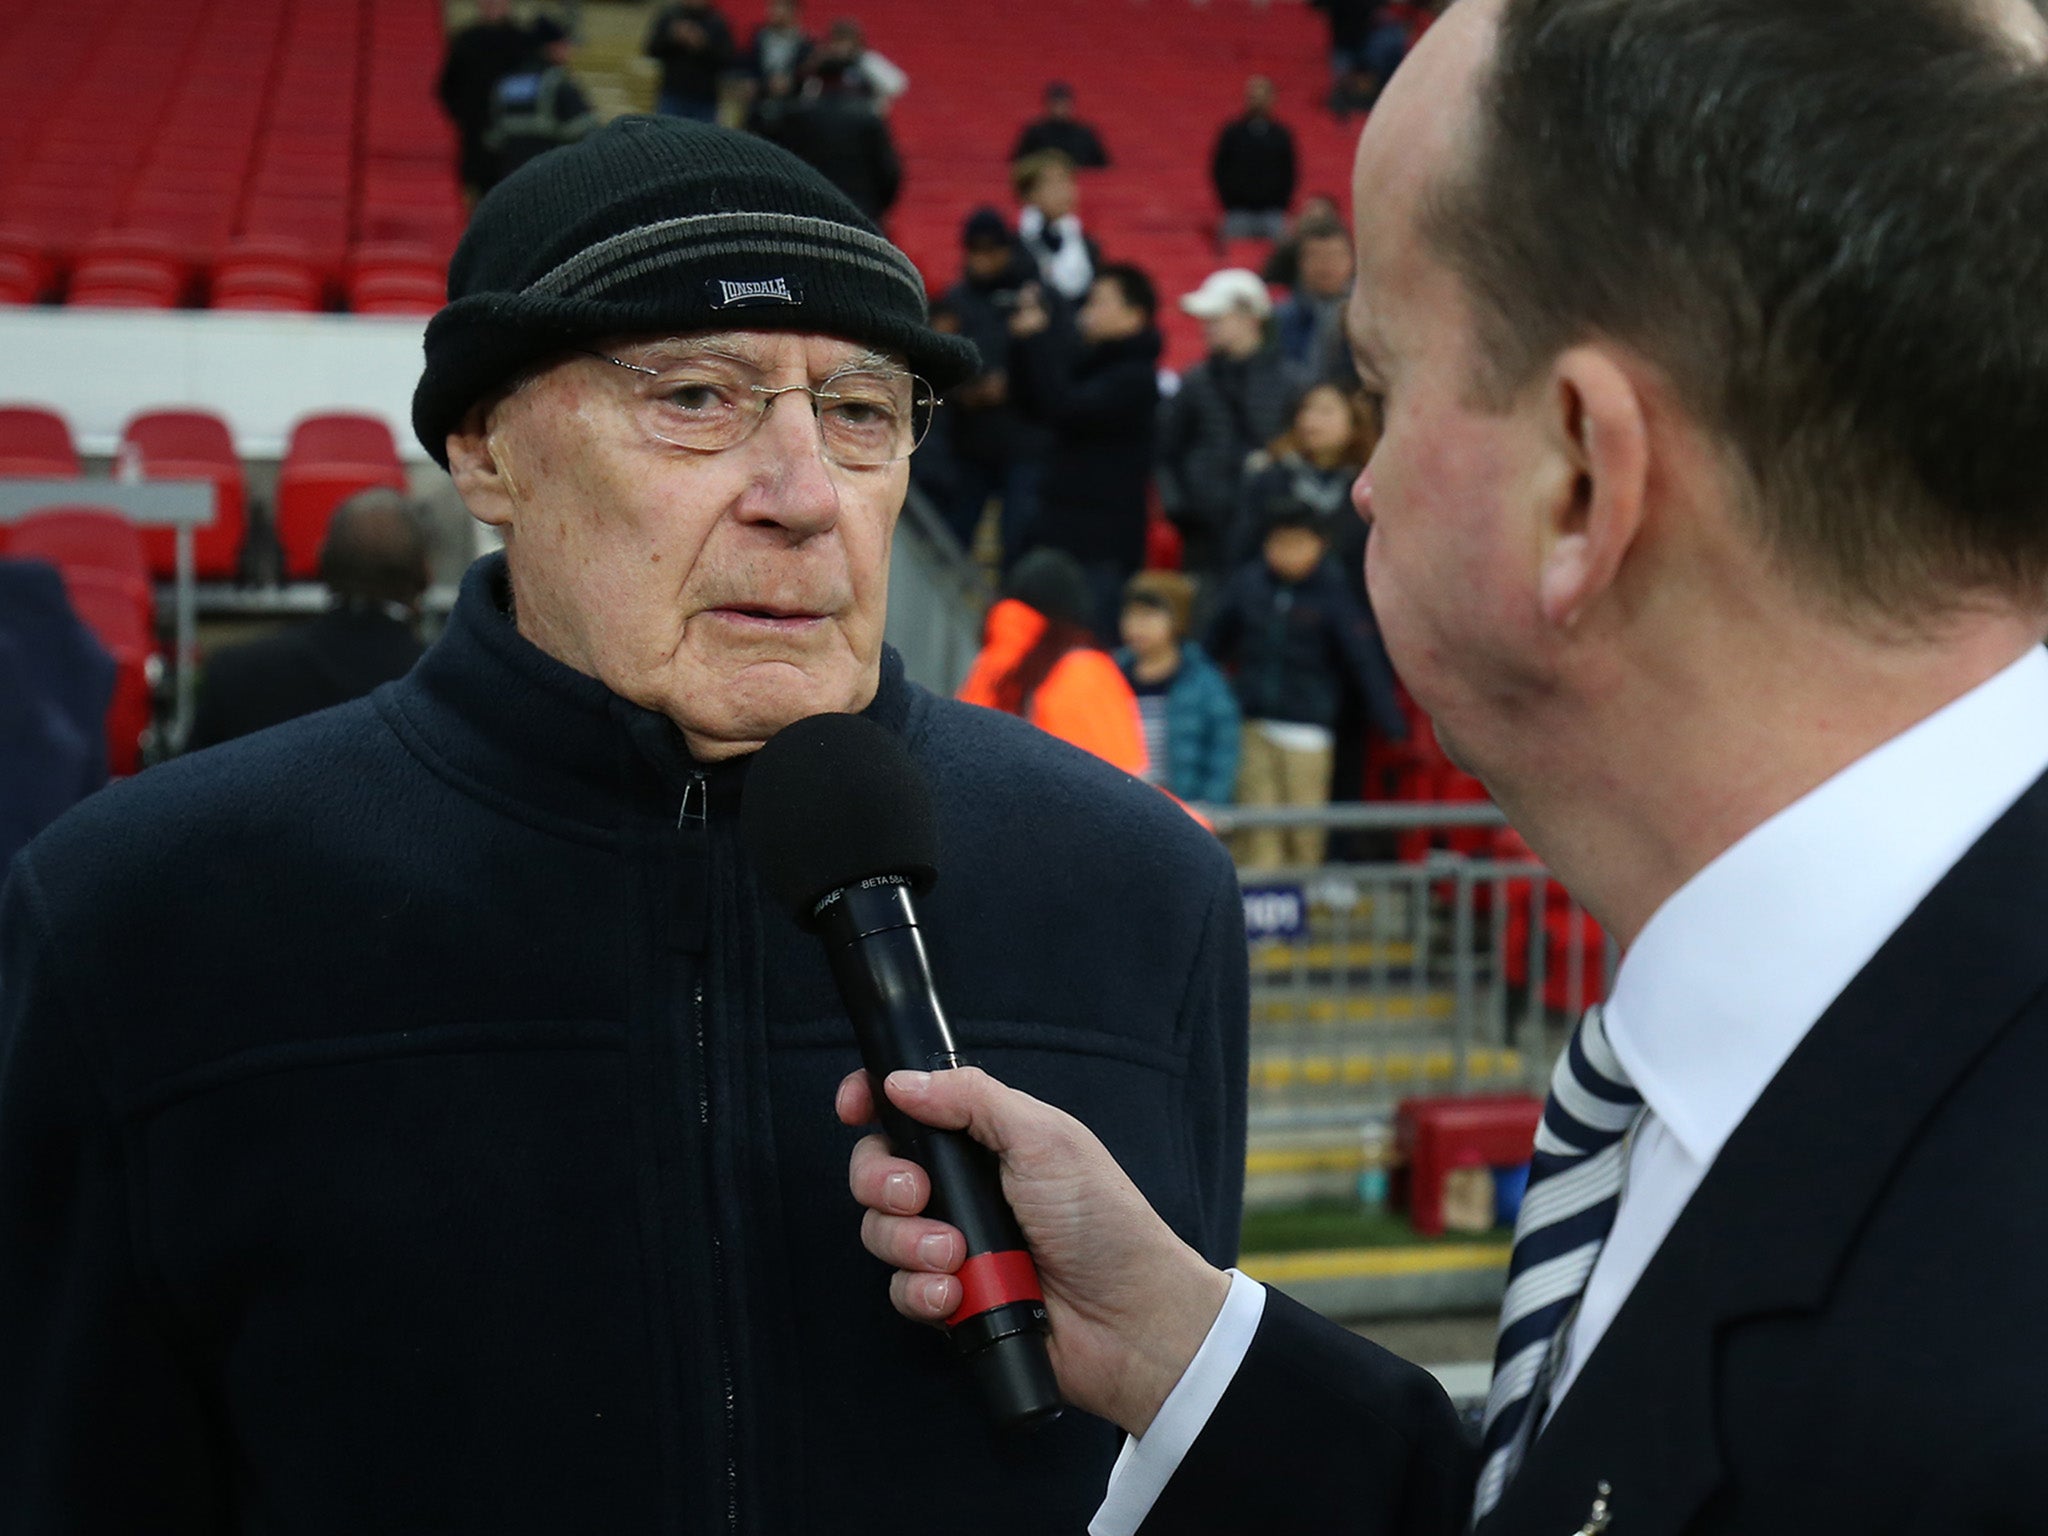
(1129, 1302)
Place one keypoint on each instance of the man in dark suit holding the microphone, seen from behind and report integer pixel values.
(1711, 525)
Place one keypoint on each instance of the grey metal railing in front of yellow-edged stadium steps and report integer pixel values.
(1379, 982)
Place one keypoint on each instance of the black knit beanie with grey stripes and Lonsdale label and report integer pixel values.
(658, 224)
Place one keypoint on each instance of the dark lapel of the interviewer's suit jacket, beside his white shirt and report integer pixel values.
(1830, 1129)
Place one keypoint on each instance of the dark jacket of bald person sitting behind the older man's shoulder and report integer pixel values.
(278, 679)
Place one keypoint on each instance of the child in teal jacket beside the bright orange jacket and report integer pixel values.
(1187, 708)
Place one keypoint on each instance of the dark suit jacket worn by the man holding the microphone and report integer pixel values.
(1844, 1332)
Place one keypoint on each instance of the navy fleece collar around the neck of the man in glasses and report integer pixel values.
(501, 718)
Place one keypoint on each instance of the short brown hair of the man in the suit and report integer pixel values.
(1826, 222)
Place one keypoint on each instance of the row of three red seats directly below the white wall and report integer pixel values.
(329, 460)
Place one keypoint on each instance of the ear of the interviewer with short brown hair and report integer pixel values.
(1603, 429)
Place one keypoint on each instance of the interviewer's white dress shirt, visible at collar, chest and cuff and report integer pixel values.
(1715, 994)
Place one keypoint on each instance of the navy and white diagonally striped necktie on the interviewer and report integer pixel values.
(1576, 1187)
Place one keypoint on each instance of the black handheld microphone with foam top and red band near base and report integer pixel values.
(841, 826)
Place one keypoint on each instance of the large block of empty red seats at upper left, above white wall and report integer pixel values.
(151, 146)
